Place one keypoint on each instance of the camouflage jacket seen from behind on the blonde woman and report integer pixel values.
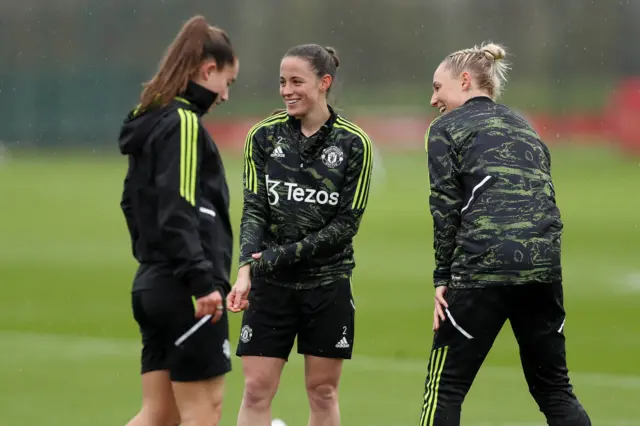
(495, 220)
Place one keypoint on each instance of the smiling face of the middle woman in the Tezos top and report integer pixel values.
(300, 87)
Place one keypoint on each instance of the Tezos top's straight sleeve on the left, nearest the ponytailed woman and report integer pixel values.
(255, 208)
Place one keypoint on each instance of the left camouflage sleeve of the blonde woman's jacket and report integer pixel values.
(445, 200)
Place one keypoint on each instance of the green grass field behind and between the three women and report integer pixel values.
(69, 348)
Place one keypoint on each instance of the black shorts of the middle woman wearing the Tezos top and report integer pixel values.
(322, 318)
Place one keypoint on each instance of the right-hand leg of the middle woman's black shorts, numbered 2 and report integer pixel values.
(327, 322)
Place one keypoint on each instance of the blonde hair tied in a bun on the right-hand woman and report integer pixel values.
(485, 63)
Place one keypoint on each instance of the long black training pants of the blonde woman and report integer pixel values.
(460, 346)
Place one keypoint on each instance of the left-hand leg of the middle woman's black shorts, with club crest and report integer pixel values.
(269, 323)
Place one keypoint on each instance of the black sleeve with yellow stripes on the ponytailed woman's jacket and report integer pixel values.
(177, 165)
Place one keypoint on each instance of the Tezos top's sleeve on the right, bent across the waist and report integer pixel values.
(344, 226)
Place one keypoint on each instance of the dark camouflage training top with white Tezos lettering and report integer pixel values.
(303, 200)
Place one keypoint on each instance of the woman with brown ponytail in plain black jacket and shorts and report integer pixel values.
(176, 205)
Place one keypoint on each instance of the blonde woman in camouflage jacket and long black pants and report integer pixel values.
(497, 233)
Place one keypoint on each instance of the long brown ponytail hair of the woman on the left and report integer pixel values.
(196, 42)
